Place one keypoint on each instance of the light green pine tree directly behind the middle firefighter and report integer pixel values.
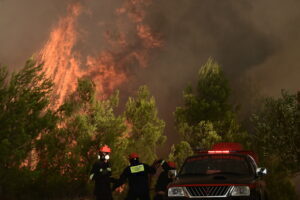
(146, 128)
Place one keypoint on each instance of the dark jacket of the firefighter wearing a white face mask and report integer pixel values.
(102, 176)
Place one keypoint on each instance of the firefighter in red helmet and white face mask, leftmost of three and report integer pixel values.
(101, 174)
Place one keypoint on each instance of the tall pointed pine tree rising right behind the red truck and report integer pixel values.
(206, 116)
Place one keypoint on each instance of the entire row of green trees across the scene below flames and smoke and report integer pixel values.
(47, 152)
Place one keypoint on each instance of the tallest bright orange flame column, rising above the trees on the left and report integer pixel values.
(60, 61)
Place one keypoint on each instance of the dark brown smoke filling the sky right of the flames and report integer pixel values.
(256, 42)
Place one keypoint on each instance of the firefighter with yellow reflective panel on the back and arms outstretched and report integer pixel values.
(137, 174)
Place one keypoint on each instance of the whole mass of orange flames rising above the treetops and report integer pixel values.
(109, 68)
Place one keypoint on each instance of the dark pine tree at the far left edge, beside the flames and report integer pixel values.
(24, 112)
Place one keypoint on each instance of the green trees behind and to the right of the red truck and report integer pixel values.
(207, 117)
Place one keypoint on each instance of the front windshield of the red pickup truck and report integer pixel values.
(217, 164)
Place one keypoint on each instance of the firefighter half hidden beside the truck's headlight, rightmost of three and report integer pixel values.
(163, 180)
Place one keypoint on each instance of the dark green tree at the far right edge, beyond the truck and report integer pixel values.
(276, 131)
